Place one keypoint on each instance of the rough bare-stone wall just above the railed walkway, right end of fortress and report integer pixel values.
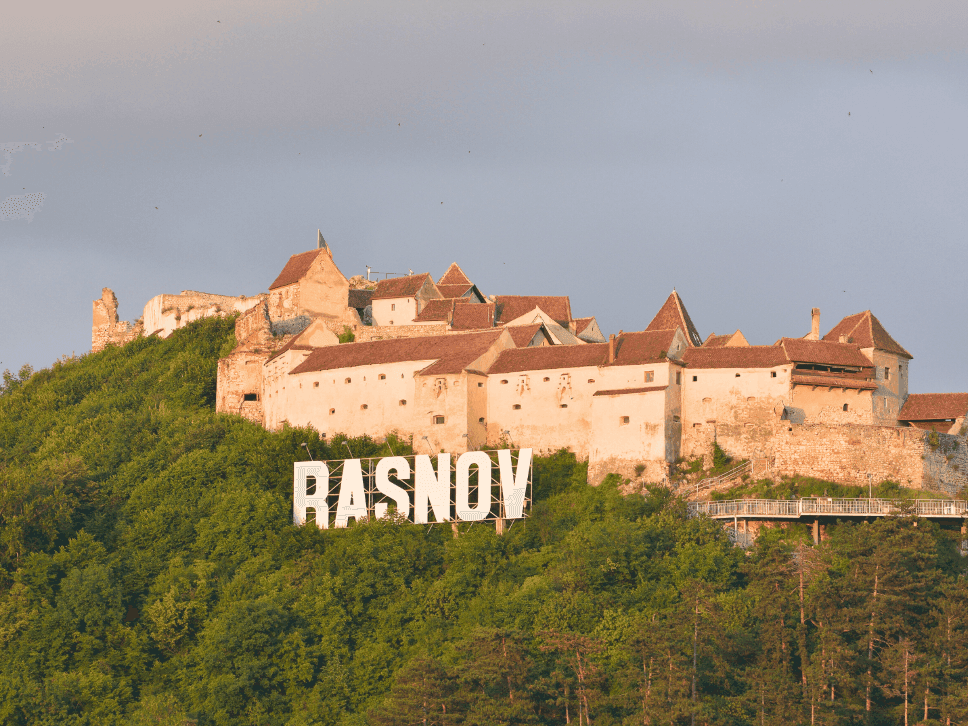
(848, 453)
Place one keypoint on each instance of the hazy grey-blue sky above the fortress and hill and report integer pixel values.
(761, 158)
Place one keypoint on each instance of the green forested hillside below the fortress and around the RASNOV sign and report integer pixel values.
(150, 574)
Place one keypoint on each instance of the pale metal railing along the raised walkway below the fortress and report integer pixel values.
(827, 506)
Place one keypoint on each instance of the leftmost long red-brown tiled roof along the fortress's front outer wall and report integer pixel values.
(452, 351)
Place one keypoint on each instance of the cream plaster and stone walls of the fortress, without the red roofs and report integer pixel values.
(845, 430)
